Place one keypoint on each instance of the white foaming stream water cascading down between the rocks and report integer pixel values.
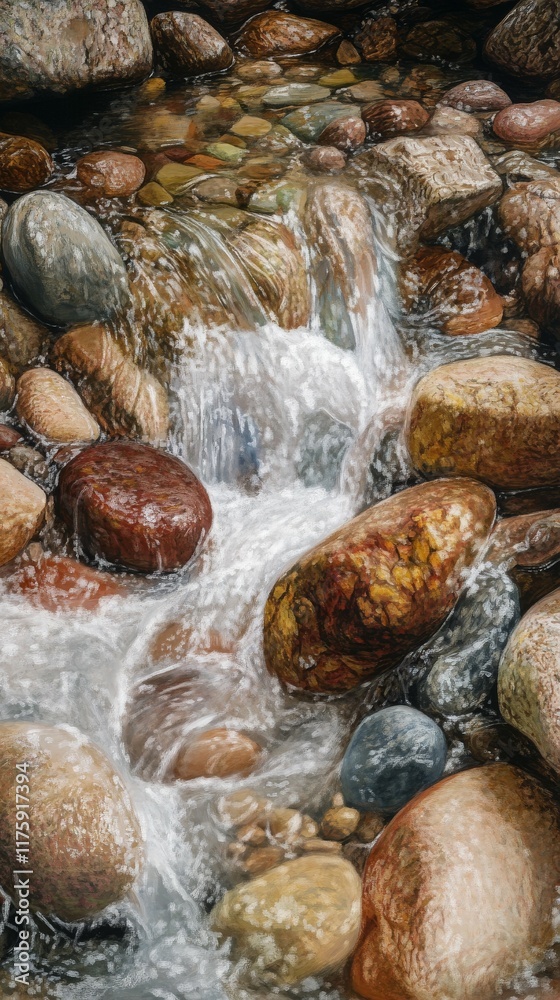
(292, 433)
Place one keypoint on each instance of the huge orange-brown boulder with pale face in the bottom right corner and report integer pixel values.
(455, 911)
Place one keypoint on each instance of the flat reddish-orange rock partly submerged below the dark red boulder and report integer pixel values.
(59, 583)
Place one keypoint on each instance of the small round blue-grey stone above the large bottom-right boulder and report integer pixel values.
(393, 755)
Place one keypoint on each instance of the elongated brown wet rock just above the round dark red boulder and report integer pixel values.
(125, 399)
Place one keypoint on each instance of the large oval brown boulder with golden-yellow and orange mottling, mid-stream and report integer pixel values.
(377, 588)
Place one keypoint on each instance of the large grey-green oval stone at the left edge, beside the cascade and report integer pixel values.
(60, 260)
